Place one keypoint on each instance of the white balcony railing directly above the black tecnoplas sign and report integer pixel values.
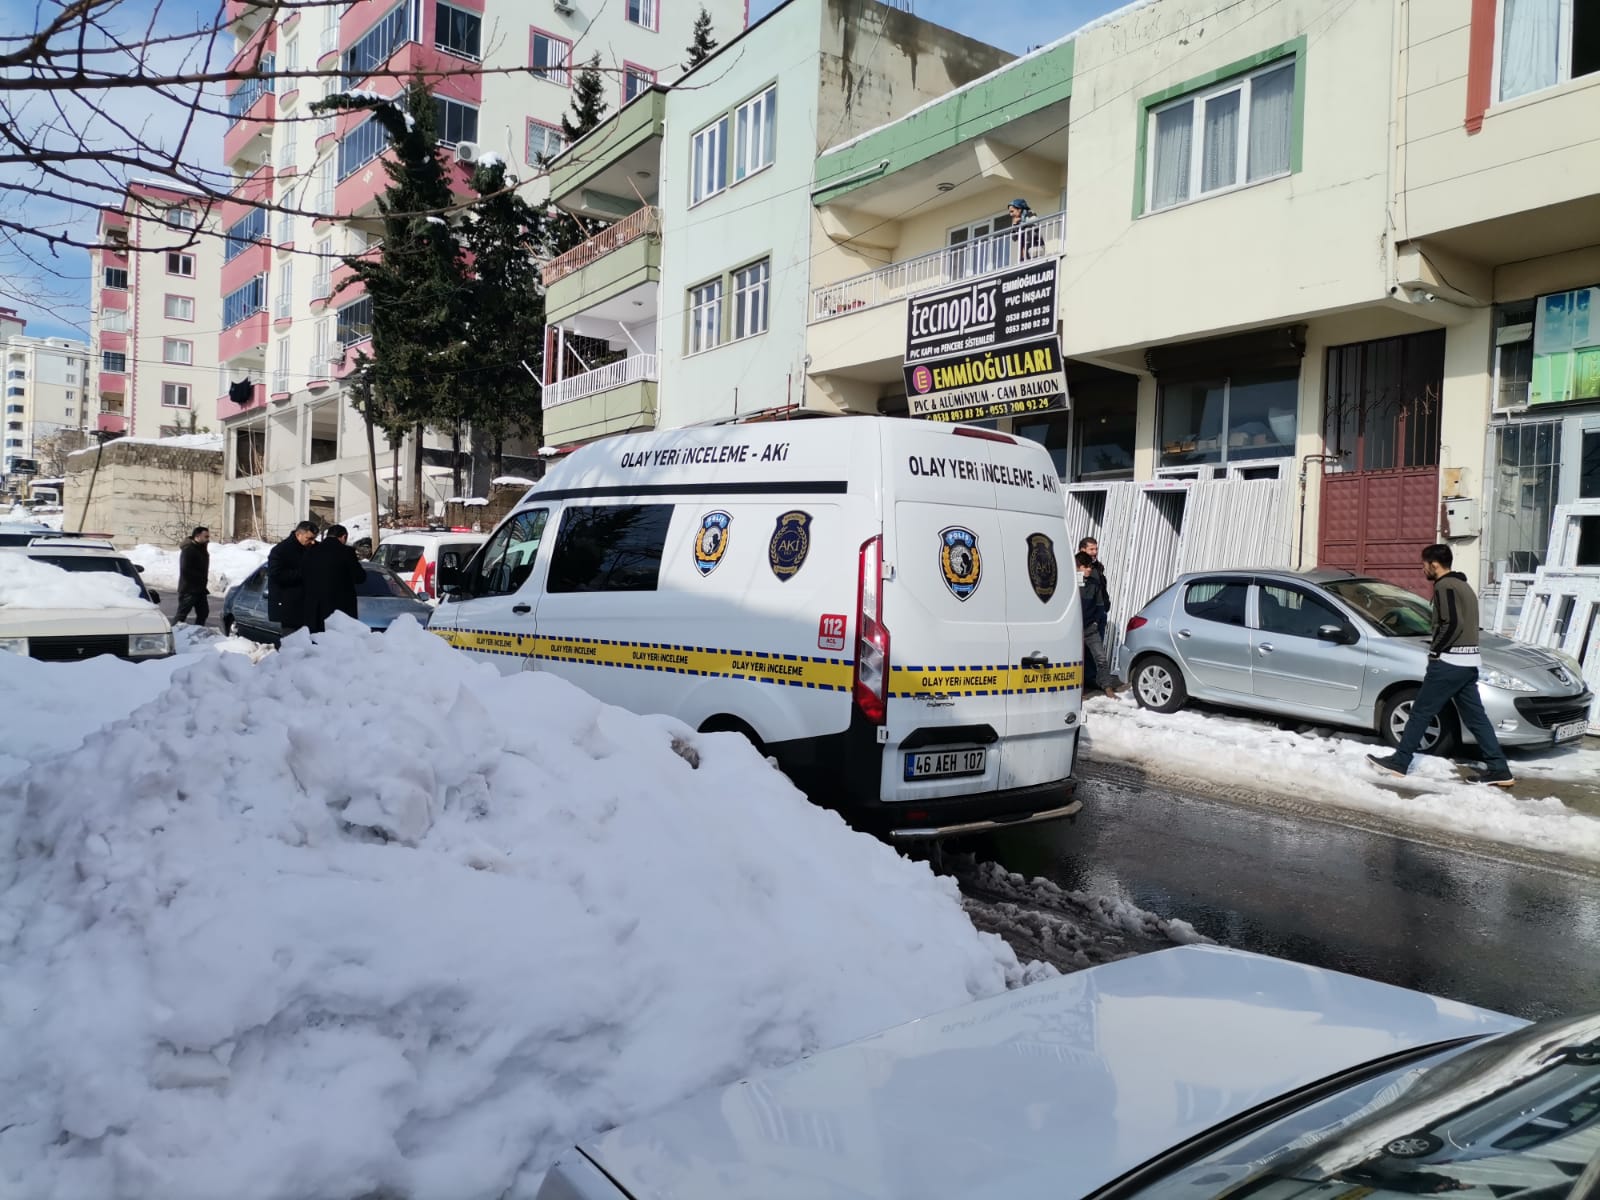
(1039, 239)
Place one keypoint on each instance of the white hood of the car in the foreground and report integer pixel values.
(1052, 1090)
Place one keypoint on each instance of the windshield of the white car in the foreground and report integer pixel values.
(1514, 1118)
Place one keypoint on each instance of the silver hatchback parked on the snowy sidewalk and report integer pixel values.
(1334, 647)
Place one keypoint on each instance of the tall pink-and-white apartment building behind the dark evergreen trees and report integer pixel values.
(503, 78)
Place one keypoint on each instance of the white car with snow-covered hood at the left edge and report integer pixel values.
(71, 633)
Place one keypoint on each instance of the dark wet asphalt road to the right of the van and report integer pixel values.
(1503, 934)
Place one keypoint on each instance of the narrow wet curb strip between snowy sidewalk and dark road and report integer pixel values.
(1135, 778)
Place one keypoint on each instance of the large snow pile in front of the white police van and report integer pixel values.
(374, 919)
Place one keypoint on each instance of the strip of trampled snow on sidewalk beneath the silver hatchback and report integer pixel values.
(1321, 766)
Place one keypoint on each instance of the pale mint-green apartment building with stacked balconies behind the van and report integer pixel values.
(692, 306)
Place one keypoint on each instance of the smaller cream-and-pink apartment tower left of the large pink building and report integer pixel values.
(154, 314)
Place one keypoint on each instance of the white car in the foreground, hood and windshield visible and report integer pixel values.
(1188, 1074)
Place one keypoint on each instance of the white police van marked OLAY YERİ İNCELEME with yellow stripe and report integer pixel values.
(884, 606)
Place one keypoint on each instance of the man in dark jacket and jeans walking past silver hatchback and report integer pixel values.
(1452, 674)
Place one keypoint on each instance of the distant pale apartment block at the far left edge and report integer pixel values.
(47, 388)
